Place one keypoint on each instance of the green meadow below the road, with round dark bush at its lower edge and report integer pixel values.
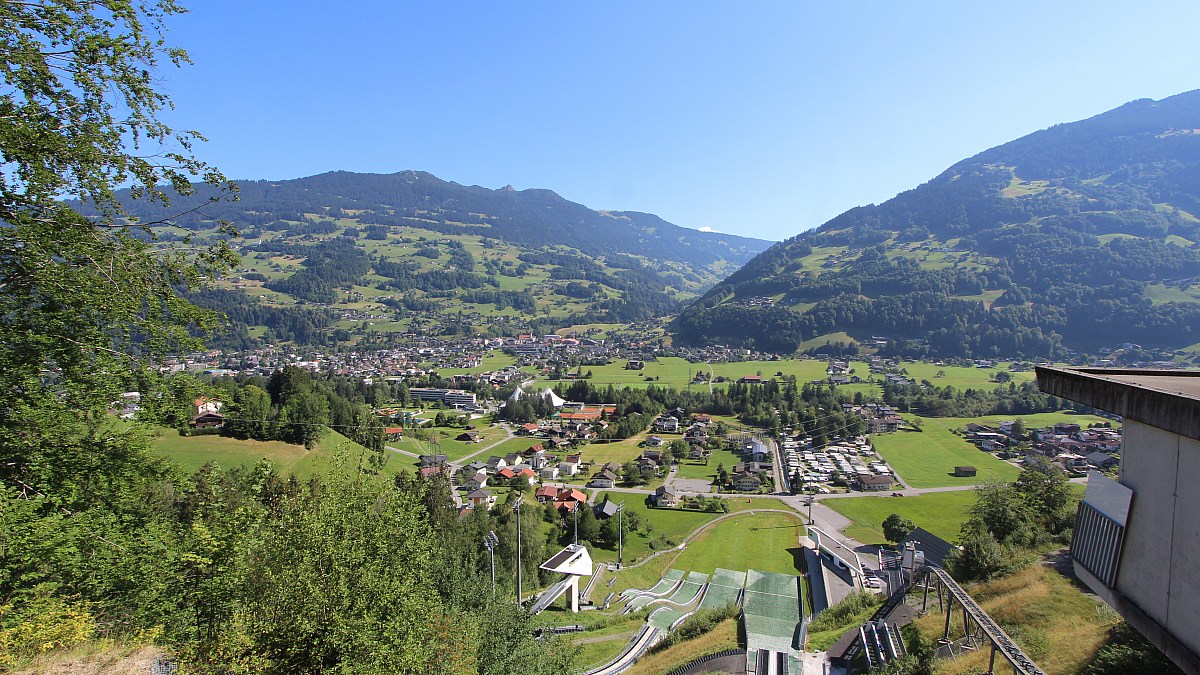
(941, 513)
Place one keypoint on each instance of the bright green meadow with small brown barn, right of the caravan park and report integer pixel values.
(927, 459)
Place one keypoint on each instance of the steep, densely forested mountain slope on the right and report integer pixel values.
(1079, 237)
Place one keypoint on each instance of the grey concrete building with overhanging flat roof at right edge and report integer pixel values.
(1137, 541)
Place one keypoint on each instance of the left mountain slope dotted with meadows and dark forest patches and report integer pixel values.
(331, 256)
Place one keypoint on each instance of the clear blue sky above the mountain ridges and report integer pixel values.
(763, 120)
